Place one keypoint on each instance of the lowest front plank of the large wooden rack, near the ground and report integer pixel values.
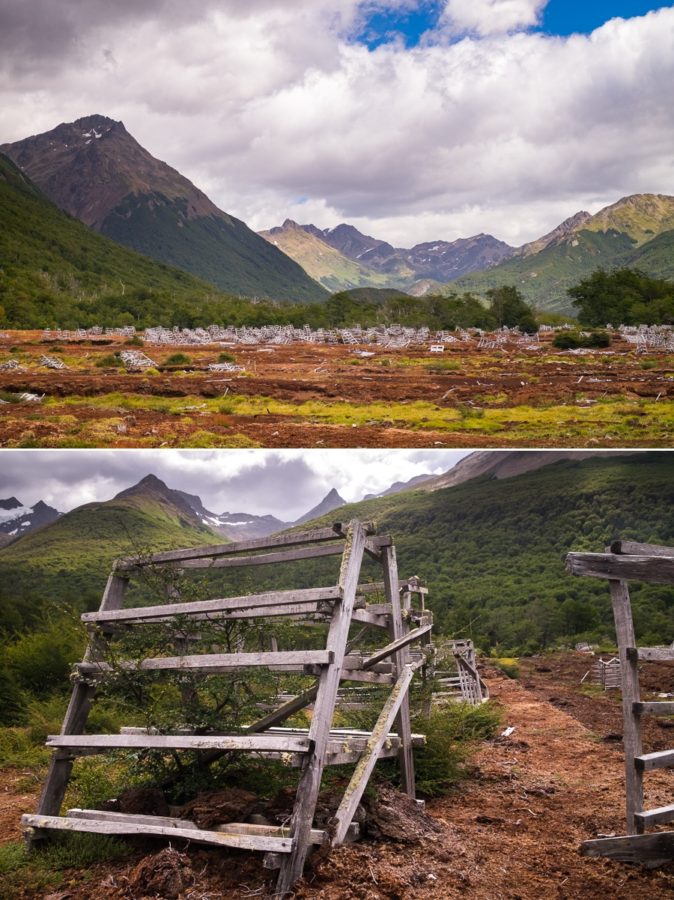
(125, 828)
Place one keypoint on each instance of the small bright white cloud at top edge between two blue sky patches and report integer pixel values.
(488, 17)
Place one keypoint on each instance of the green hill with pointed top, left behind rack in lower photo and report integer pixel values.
(68, 562)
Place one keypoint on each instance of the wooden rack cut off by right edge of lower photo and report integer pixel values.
(649, 563)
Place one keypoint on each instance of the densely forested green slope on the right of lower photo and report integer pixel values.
(493, 551)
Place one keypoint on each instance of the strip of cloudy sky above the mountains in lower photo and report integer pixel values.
(285, 483)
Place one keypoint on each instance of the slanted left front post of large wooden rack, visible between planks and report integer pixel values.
(79, 706)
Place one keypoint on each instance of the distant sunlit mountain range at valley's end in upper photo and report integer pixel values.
(636, 231)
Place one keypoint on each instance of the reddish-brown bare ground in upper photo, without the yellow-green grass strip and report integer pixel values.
(463, 378)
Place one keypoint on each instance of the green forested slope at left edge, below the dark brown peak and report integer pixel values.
(48, 259)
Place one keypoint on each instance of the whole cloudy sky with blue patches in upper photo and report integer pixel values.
(412, 119)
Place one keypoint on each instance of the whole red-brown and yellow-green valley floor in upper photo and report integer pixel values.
(302, 395)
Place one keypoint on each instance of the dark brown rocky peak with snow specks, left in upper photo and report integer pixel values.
(97, 172)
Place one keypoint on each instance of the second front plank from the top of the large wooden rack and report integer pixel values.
(211, 607)
